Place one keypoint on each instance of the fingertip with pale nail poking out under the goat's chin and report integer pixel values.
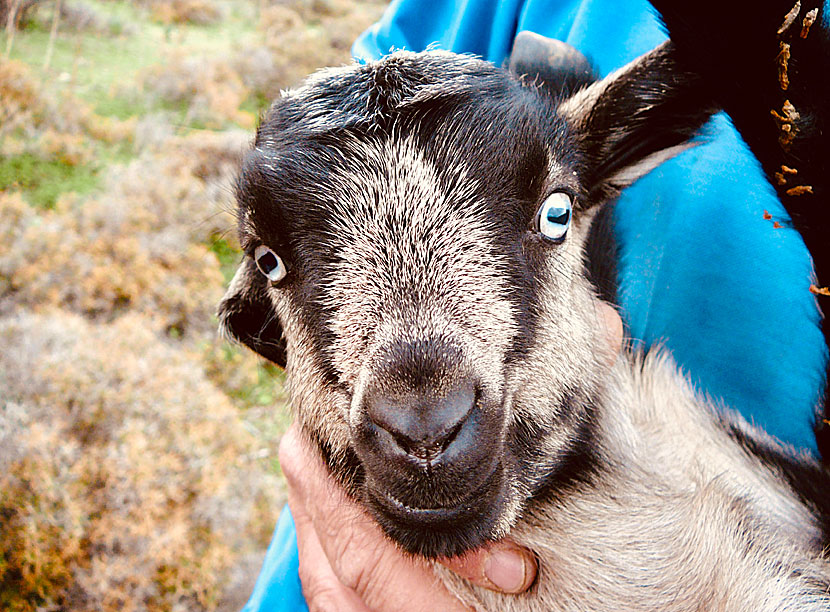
(503, 566)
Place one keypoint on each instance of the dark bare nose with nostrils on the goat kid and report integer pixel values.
(423, 424)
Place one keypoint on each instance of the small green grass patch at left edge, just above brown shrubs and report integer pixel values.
(44, 181)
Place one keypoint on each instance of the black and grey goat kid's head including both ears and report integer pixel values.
(415, 234)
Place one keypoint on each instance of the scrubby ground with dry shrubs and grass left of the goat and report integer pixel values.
(138, 465)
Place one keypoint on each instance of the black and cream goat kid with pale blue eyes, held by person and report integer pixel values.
(416, 232)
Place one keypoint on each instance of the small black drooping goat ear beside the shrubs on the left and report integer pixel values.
(247, 315)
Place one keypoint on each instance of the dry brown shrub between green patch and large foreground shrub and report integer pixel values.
(79, 260)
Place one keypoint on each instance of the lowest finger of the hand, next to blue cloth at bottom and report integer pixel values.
(322, 589)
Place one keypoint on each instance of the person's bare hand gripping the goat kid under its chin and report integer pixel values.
(348, 565)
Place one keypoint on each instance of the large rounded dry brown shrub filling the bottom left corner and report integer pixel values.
(127, 481)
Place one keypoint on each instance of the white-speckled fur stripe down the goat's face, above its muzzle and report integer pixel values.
(415, 261)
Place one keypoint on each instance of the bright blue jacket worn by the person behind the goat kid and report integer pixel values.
(701, 270)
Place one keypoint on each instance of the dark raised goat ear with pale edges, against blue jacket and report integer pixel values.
(634, 119)
